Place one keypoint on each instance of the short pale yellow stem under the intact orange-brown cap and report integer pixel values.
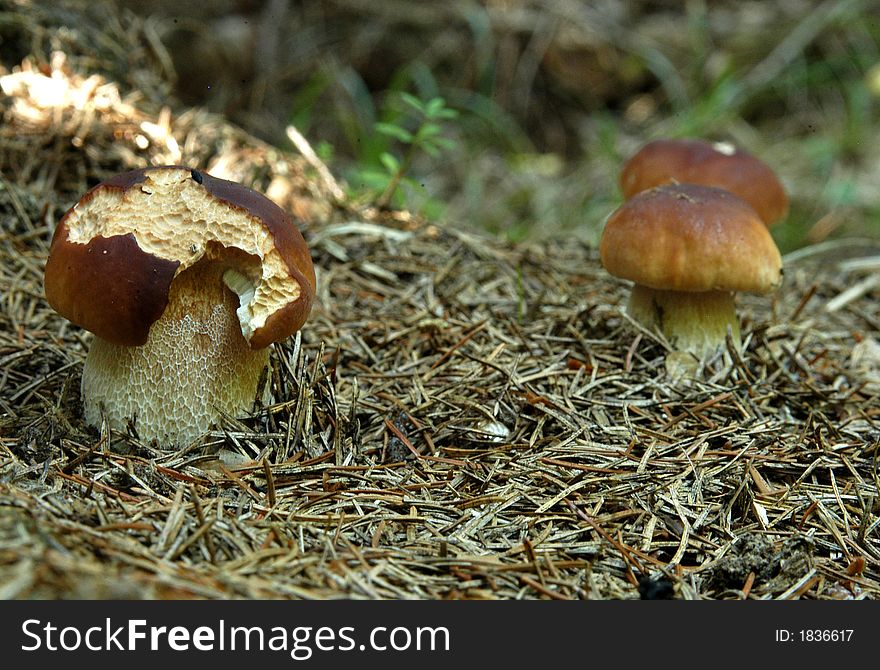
(695, 322)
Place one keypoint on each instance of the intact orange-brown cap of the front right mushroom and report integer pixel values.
(686, 237)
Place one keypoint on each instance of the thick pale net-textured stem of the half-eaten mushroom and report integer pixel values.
(195, 368)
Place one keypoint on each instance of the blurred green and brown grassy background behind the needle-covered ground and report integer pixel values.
(515, 116)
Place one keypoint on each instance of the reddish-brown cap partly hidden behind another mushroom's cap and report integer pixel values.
(695, 161)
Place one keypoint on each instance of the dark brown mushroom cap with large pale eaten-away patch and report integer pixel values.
(116, 252)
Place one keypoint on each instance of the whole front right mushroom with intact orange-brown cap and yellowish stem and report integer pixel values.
(688, 248)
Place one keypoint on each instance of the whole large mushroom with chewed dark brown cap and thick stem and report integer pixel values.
(185, 280)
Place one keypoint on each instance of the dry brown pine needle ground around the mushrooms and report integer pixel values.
(458, 419)
